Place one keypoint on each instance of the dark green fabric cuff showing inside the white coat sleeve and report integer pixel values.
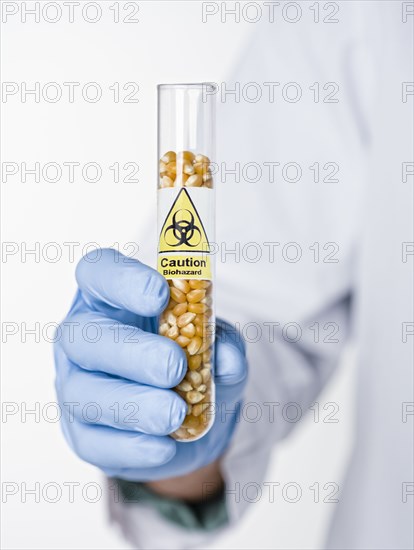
(207, 515)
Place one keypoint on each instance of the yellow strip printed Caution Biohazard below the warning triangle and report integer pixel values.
(174, 266)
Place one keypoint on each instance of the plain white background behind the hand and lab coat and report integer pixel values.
(169, 44)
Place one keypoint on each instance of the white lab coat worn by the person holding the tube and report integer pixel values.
(368, 214)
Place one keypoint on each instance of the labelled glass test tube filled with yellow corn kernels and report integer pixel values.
(186, 224)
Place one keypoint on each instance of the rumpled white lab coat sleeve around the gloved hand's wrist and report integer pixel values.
(284, 377)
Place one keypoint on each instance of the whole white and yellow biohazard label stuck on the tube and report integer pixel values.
(185, 217)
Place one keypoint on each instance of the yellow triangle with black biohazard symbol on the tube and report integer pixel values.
(183, 229)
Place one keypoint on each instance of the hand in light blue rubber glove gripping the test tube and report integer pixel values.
(113, 374)
